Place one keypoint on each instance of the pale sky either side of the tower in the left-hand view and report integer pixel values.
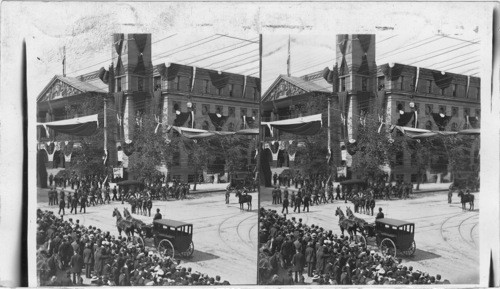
(214, 51)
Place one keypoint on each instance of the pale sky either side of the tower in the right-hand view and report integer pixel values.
(312, 53)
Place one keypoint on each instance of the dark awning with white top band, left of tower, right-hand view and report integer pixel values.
(308, 125)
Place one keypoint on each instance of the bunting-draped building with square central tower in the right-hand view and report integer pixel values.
(400, 94)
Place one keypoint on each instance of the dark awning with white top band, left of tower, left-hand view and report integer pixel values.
(80, 126)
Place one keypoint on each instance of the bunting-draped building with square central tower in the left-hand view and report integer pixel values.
(184, 96)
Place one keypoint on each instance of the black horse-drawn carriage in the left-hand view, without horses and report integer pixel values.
(170, 237)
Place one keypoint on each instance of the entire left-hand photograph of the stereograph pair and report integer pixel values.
(147, 159)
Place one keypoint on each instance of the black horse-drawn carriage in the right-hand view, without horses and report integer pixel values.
(393, 236)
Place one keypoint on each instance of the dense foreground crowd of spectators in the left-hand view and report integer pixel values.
(67, 249)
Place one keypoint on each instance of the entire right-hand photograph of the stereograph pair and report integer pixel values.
(370, 159)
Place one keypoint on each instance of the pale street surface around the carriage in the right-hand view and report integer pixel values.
(446, 237)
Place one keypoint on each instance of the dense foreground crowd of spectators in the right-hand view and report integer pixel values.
(290, 249)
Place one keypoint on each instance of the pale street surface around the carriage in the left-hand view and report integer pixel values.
(225, 238)
